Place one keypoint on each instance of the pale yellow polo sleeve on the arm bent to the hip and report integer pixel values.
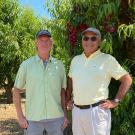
(116, 71)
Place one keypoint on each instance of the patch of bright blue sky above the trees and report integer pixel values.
(37, 5)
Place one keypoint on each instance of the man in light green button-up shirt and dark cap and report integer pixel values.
(44, 80)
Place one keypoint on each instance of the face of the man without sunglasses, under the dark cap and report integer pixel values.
(43, 44)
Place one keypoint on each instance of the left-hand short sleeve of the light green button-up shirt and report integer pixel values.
(20, 80)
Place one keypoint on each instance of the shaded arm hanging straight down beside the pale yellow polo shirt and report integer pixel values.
(69, 93)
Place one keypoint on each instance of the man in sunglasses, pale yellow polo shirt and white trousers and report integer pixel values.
(89, 77)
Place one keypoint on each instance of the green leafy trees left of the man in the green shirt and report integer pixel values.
(17, 34)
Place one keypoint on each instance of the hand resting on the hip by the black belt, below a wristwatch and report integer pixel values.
(108, 104)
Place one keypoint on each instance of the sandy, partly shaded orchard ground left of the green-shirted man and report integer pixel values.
(8, 120)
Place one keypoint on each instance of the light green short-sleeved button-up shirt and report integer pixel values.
(43, 87)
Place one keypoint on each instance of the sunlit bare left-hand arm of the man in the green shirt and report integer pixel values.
(17, 101)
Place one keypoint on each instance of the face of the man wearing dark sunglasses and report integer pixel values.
(90, 42)
